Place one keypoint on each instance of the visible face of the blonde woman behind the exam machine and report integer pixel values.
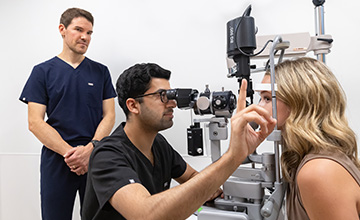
(283, 111)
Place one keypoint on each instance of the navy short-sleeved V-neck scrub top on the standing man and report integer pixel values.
(73, 97)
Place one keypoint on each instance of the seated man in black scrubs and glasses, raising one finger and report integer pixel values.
(130, 171)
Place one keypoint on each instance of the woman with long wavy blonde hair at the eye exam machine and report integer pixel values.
(320, 159)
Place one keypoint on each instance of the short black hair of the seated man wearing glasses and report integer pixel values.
(136, 80)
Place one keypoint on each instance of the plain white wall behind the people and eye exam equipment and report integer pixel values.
(188, 37)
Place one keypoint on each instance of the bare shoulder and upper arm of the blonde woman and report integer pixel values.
(325, 184)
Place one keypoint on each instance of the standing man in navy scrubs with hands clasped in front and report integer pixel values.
(77, 96)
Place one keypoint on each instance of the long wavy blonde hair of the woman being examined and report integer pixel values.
(317, 112)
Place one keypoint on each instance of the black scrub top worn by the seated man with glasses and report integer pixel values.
(116, 162)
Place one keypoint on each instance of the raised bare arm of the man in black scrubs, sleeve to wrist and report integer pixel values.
(134, 201)
